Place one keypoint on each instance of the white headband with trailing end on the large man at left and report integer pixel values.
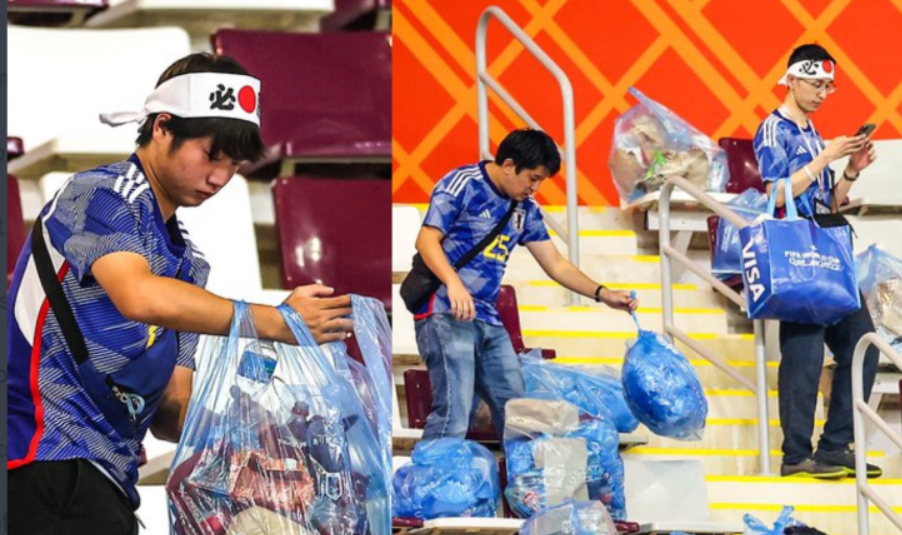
(197, 95)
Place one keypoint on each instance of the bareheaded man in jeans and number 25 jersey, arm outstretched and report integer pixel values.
(459, 332)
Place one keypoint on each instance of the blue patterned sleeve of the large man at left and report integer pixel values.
(97, 221)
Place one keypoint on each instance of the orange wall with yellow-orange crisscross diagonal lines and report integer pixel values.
(714, 62)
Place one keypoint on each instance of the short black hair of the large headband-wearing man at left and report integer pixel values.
(238, 140)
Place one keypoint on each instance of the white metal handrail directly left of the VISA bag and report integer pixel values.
(668, 255)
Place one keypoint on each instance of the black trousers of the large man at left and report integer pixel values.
(67, 498)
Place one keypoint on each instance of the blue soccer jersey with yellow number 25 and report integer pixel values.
(466, 206)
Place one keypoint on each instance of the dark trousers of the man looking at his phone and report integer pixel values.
(800, 371)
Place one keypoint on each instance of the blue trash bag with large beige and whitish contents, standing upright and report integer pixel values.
(554, 454)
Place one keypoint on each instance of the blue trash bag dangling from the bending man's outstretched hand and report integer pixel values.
(662, 389)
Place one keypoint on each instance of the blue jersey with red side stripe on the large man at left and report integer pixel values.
(60, 409)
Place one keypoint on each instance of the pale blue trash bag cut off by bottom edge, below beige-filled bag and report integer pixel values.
(571, 518)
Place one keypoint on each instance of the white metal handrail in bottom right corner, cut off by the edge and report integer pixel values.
(860, 410)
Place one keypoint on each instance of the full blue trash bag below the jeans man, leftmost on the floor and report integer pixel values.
(447, 477)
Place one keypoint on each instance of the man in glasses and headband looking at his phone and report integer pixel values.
(788, 146)
